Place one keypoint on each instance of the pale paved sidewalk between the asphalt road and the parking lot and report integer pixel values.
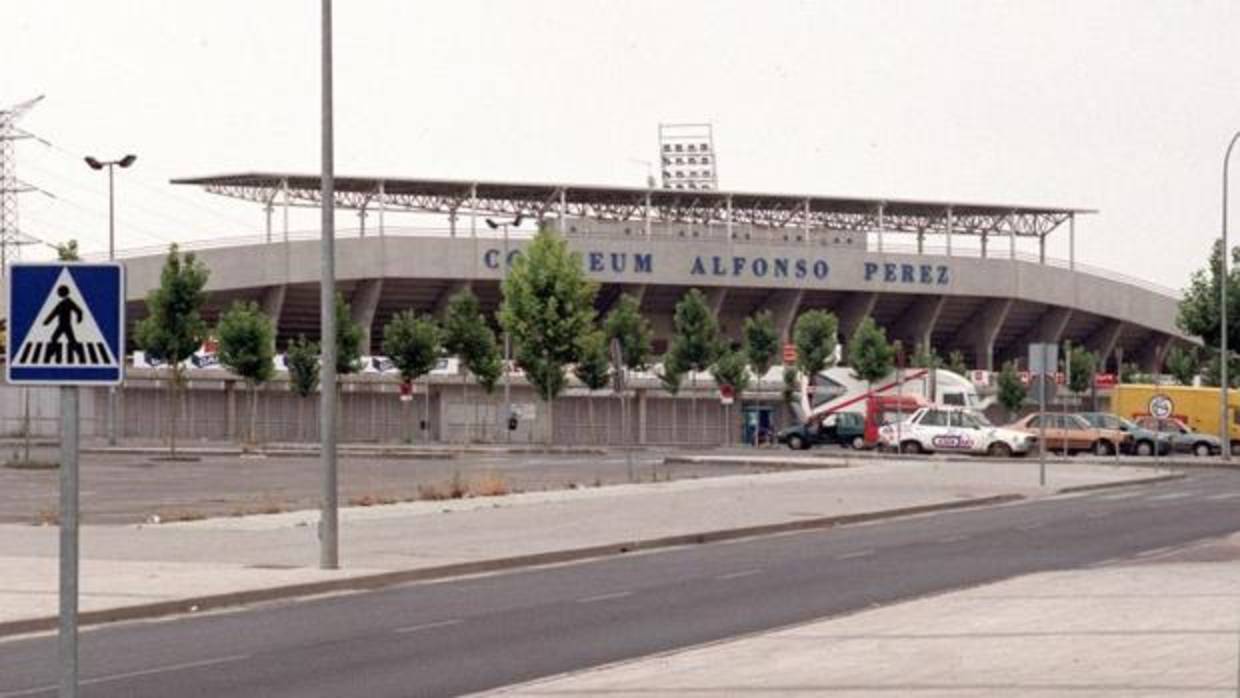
(128, 566)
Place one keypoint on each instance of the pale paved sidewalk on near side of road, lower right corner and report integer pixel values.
(1159, 628)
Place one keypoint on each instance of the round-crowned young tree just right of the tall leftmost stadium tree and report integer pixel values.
(247, 348)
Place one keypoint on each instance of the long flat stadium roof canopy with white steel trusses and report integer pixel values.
(457, 198)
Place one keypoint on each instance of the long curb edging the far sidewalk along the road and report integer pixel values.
(373, 582)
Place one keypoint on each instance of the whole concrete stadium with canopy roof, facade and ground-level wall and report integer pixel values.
(955, 277)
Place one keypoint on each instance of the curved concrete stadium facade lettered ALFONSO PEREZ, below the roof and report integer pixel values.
(990, 309)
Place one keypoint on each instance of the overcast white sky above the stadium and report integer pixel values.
(1123, 107)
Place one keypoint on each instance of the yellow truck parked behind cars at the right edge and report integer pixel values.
(1197, 409)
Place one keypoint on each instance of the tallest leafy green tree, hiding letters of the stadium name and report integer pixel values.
(549, 309)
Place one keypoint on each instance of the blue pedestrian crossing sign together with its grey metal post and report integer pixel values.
(66, 328)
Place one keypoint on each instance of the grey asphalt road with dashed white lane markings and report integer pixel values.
(468, 635)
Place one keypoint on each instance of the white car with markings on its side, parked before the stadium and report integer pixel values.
(945, 430)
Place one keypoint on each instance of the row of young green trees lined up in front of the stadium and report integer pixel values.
(549, 313)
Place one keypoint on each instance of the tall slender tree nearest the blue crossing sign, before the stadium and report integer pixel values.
(174, 329)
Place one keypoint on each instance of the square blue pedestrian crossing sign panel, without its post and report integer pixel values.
(66, 324)
